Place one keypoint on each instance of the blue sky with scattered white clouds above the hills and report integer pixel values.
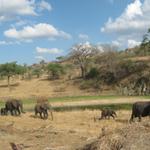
(31, 30)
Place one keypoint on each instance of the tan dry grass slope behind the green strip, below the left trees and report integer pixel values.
(42, 87)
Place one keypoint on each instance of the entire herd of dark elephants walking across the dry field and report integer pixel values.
(15, 107)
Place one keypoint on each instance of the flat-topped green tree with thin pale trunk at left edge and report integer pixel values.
(10, 69)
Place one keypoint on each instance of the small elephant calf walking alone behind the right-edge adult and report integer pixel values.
(107, 113)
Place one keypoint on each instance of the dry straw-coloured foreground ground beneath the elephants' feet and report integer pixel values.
(67, 131)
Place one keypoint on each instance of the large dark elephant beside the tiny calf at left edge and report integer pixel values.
(14, 106)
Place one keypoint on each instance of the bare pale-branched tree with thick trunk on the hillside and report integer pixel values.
(81, 55)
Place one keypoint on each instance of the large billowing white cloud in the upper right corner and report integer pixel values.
(131, 24)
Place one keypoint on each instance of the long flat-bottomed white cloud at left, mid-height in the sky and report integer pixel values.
(41, 30)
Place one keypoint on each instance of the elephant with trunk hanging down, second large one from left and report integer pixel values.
(42, 109)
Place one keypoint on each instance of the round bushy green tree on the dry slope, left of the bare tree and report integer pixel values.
(55, 70)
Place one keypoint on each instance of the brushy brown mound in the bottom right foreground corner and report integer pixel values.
(135, 136)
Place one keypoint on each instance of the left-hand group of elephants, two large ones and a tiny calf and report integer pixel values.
(15, 107)
